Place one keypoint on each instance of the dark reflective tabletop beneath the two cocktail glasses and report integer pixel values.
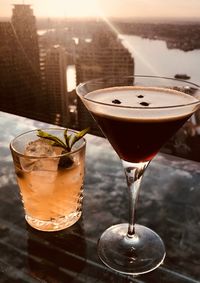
(169, 204)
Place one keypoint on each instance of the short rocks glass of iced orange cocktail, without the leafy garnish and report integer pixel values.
(50, 181)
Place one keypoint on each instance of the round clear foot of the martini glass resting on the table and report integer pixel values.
(135, 255)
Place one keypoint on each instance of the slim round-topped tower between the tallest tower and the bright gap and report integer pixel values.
(55, 65)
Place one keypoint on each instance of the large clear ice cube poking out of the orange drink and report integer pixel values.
(40, 148)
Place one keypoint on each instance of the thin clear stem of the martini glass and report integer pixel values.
(133, 173)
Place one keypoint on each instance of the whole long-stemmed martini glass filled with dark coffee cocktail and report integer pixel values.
(138, 115)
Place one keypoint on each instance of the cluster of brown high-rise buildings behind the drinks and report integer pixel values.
(47, 57)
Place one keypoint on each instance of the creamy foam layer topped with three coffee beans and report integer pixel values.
(140, 102)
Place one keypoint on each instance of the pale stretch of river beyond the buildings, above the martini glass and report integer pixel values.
(152, 57)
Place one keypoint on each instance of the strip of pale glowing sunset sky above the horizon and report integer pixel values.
(108, 8)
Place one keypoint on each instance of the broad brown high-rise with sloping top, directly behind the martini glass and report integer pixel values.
(103, 55)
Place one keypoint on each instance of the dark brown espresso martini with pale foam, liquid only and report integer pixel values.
(139, 120)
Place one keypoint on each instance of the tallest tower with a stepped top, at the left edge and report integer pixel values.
(20, 85)
